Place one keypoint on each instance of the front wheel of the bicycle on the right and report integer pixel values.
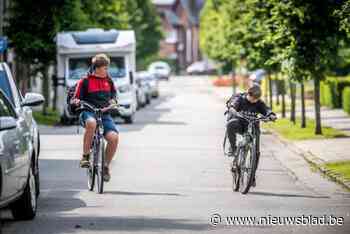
(247, 165)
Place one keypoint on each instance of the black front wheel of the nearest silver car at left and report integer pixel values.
(25, 207)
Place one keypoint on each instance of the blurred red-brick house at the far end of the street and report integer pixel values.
(180, 22)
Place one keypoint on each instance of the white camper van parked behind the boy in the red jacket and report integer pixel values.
(74, 53)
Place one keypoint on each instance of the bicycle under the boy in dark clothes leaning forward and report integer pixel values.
(245, 160)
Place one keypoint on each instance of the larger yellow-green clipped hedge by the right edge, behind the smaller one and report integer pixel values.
(331, 91)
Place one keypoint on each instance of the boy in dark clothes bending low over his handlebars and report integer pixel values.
(248, 103)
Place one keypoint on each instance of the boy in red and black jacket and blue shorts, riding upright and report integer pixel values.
(98, 89)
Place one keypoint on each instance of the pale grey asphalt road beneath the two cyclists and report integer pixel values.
(170, 176)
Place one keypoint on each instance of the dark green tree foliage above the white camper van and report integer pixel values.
(34, 24)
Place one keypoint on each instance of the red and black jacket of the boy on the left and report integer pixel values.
(96, 91)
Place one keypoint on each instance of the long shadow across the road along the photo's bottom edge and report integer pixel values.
(95, 224)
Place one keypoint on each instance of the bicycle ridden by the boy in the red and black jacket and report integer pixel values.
(97, 161)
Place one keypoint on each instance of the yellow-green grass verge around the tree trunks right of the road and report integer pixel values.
(291, 131)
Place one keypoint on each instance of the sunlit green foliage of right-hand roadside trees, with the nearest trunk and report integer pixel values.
(299, 37)
